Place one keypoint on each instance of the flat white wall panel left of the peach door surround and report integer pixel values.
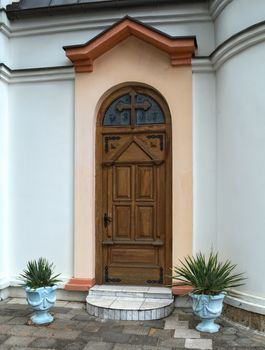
(41, 120)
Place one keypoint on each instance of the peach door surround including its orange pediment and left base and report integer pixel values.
(130, 53)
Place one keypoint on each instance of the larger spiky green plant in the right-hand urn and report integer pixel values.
(207, 276)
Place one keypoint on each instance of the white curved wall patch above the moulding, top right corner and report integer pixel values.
(236, 16)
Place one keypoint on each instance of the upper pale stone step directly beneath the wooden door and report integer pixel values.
(131, 291)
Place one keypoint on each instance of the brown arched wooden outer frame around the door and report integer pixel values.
(98, 195)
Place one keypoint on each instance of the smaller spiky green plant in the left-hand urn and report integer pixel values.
(39, 273)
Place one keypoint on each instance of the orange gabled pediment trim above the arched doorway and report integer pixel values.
(180, 49)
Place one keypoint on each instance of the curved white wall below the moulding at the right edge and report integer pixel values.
(241, 164)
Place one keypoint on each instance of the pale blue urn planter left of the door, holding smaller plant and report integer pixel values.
(41, 300)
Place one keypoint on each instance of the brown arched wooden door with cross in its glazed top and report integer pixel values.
(133, 189)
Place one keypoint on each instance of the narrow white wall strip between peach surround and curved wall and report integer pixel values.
(204, 162)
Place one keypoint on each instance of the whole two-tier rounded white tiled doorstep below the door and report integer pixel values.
(129, 302)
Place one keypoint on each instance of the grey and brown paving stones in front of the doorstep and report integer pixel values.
(74, 329)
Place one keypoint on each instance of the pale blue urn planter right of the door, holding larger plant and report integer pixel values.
(208, 308)
